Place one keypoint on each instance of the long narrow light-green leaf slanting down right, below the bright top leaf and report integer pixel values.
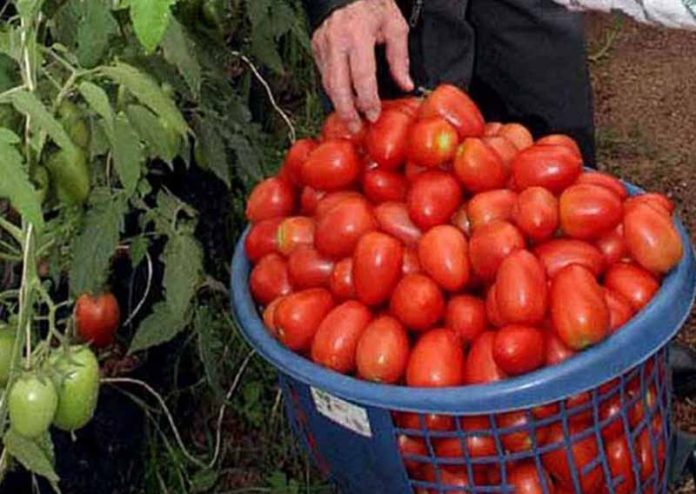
(149, 93)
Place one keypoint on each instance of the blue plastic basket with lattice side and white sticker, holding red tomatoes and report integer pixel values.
(357, 436)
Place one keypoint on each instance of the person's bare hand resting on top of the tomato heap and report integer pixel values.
(344, 50)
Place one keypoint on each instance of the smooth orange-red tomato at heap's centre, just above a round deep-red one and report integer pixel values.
(443, 254)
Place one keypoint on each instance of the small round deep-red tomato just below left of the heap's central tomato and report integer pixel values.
(417, 302)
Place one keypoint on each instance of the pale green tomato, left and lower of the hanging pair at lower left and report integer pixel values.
(31, 404)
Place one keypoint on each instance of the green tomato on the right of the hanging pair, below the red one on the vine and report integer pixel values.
(77, 381)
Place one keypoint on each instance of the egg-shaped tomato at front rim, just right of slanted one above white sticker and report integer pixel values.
(383, 350)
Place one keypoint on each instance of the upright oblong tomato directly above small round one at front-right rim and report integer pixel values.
(521, 290)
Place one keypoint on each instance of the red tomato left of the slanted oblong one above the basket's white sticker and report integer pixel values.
(298, 316)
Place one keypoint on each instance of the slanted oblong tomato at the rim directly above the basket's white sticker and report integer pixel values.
(337, 337)
